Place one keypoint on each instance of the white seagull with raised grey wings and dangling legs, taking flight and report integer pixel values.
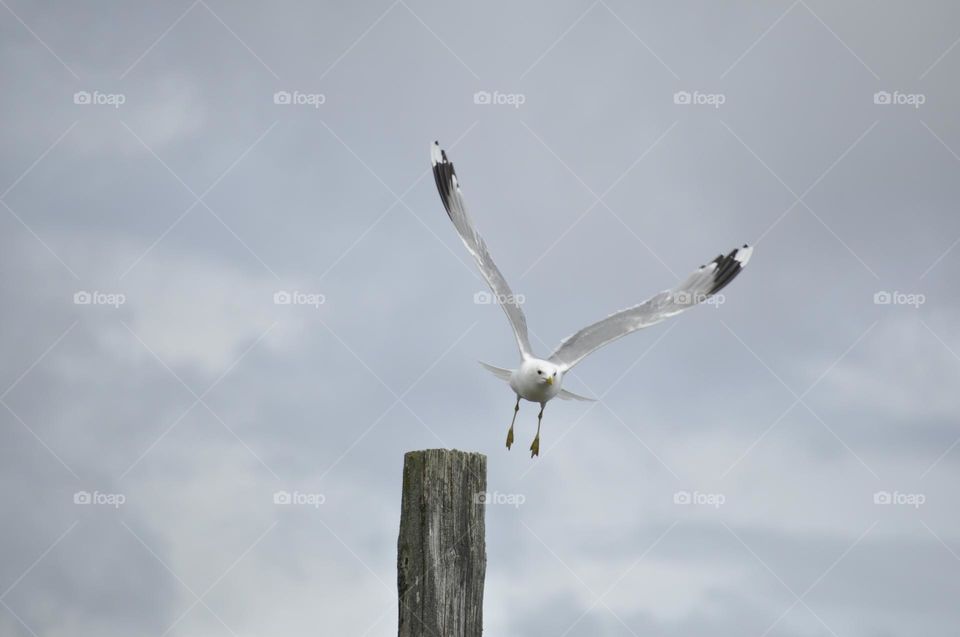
(539, 380)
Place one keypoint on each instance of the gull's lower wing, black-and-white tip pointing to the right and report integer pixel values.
(699, 286)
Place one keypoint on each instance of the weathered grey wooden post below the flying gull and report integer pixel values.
(441, 552)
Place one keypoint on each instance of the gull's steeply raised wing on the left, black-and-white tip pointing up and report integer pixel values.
(449, 188)
